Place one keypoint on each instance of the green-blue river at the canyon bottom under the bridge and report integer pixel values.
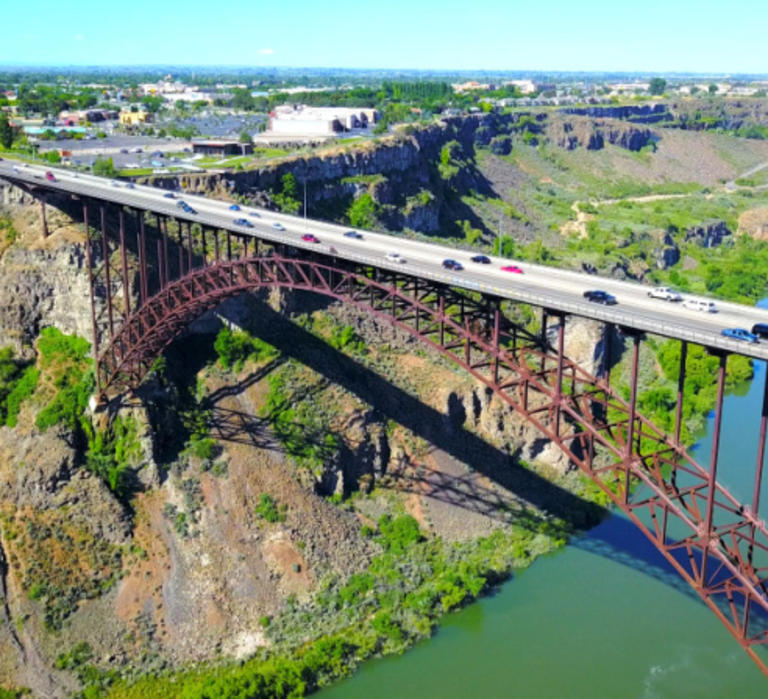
(604, 617)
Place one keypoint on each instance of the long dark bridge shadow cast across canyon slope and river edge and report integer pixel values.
(612, 537)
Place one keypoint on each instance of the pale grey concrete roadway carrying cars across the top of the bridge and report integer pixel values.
(548, 287)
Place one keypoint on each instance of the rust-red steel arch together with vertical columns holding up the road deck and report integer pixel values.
(151, 281)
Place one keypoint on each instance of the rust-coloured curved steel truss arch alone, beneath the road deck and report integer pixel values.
(714, 542)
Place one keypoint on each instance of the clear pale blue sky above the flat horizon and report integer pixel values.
(591, 35)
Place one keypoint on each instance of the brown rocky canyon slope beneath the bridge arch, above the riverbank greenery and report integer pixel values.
(182, 565)
